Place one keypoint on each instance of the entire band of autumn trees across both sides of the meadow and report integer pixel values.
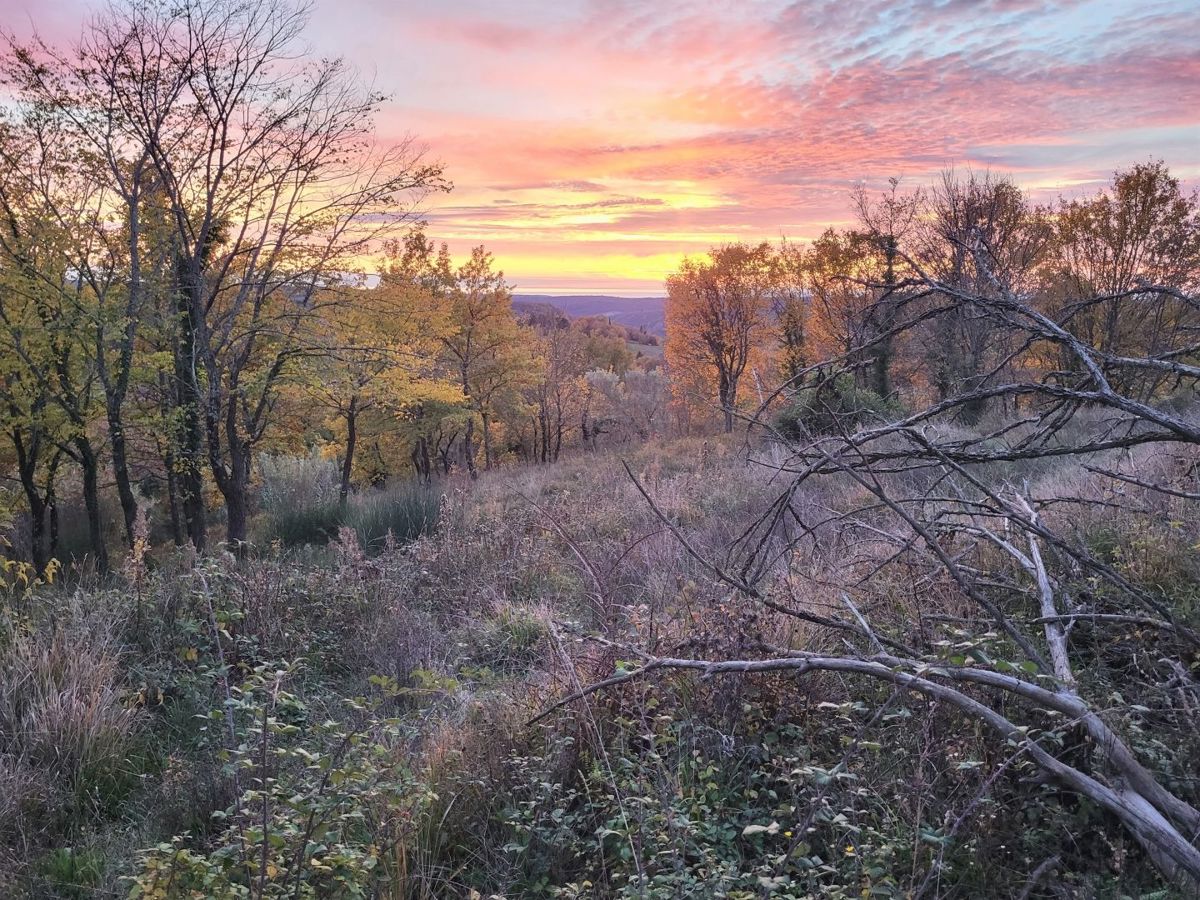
(191, 205)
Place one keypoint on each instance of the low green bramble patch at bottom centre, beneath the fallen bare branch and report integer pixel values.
(677, 814)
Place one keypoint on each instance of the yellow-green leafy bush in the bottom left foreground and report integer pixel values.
(325, 809)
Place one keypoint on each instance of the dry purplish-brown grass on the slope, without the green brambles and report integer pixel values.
(479, 623)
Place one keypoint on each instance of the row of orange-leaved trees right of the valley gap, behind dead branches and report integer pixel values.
(765, 314)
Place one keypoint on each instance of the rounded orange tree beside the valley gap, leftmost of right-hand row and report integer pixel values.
(718, 316)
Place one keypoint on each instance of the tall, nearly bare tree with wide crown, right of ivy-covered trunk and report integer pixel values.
(271, 177)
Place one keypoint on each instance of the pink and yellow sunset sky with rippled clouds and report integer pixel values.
(593, 143)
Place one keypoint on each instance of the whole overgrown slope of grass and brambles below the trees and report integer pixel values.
(674, 789)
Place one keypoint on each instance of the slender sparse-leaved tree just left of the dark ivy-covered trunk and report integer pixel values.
(81, 103)
